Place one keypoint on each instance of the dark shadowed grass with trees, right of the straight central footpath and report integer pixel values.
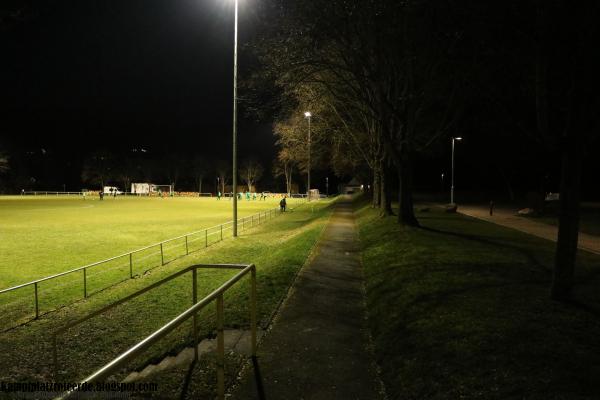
(460, 309)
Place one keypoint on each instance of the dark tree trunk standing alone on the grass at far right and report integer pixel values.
(568, 226)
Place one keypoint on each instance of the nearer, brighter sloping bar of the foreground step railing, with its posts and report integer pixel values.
(118, 362)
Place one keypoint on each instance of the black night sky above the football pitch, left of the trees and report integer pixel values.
(84, 75)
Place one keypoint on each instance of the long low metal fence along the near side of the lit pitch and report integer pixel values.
(25, 302)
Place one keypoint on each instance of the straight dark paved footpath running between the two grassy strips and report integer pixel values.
(318, 346)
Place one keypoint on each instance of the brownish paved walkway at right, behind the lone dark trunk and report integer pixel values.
(507, 217)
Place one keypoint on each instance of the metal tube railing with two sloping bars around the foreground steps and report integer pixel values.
(217, 295)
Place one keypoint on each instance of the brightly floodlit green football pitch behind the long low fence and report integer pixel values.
(45, 235)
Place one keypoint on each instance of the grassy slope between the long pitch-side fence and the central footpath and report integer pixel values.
(278, 248)
